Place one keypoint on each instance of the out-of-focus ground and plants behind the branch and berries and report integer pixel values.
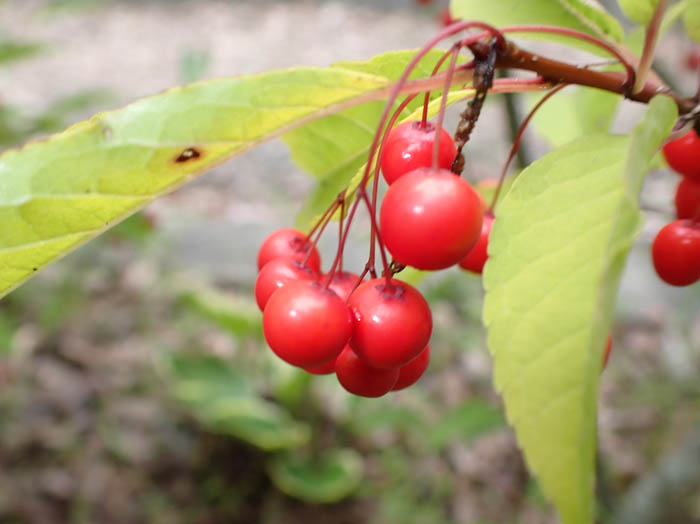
(134, 382)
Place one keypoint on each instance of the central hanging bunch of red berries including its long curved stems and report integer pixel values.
(372, 330)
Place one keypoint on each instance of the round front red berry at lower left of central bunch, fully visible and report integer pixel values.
(306, 324)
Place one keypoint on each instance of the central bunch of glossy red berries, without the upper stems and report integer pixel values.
(373, 333)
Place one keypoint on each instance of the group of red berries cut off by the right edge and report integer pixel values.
(676, 248)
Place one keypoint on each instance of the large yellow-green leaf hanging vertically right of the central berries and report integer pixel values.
(557, 250)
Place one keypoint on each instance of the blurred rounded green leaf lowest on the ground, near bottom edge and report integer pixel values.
(318, 480)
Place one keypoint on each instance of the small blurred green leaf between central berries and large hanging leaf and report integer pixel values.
(467, 422)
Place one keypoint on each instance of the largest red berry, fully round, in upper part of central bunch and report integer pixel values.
(430, 219)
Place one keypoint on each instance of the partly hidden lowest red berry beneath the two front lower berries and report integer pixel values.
(360, 379)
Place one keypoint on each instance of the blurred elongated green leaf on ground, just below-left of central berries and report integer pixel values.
(224, 401)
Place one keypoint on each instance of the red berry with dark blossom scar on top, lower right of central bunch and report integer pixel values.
(391, 323)
